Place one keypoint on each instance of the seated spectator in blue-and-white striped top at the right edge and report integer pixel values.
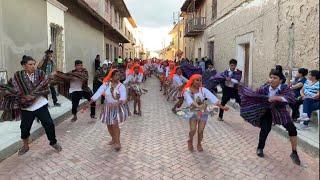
(310, 96)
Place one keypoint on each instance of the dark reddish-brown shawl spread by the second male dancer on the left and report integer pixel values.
(65, 78)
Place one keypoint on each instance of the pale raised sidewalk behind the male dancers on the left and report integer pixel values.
(10, 141)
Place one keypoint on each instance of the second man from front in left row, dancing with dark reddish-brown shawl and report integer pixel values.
(75, 86)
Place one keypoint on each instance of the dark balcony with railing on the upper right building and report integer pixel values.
(195, 26)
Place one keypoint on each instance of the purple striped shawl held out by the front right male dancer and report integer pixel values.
(255, 103)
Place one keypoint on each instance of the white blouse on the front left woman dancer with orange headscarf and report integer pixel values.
(105, 88)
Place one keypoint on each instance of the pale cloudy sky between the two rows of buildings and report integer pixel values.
(154, 19)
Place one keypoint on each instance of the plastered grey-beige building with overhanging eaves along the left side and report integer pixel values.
(78, 29)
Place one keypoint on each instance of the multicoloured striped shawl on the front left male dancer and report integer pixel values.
(12, 94)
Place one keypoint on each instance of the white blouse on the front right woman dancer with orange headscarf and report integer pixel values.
(202, 94)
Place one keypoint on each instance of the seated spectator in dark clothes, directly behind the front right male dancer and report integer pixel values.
(297, 85)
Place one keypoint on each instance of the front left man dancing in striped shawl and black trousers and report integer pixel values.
(25, 97)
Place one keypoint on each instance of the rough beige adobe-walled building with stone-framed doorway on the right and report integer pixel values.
(259, 34)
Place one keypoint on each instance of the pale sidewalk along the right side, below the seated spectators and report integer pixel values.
(307, 139)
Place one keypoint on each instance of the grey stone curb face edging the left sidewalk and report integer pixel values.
(15, 146)
